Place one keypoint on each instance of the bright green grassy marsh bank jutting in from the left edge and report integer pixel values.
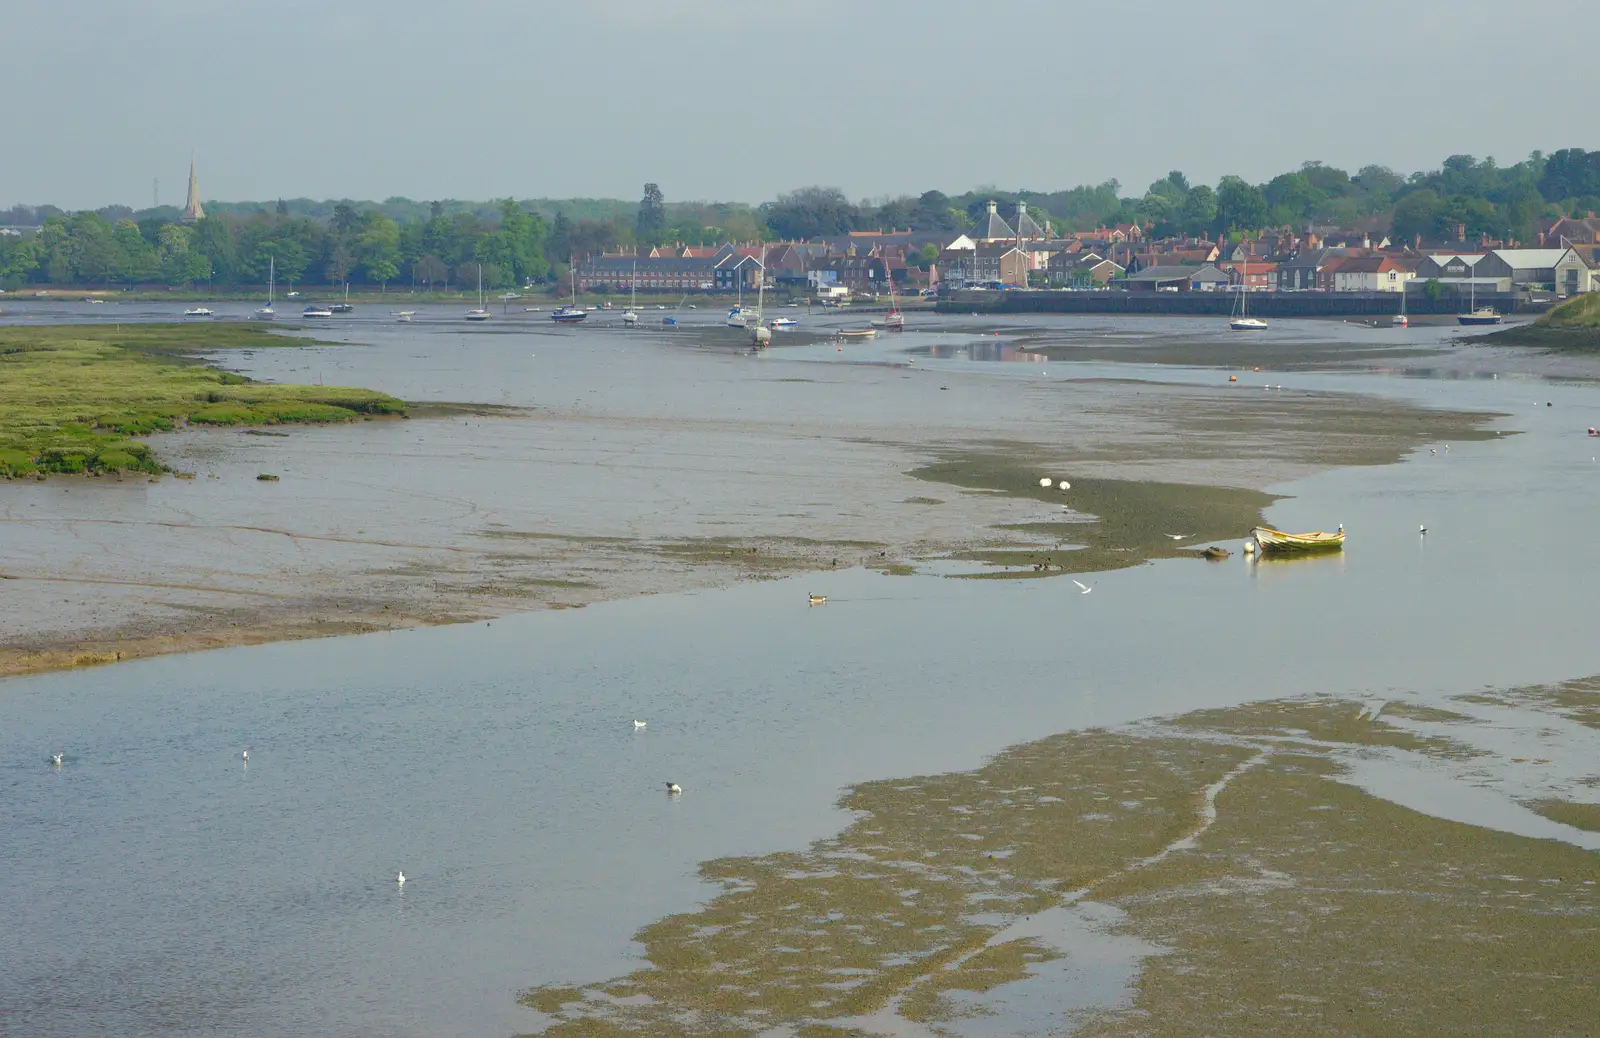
(78, 399)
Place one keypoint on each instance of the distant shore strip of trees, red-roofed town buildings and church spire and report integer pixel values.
(1471, 228)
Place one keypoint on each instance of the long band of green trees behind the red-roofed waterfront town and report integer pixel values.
(444, 244)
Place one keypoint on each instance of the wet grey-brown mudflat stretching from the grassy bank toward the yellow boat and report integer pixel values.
(698, 468)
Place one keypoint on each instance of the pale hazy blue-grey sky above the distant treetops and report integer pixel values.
(742, 100)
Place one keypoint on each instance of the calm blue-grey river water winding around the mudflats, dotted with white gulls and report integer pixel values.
(156, 885)
